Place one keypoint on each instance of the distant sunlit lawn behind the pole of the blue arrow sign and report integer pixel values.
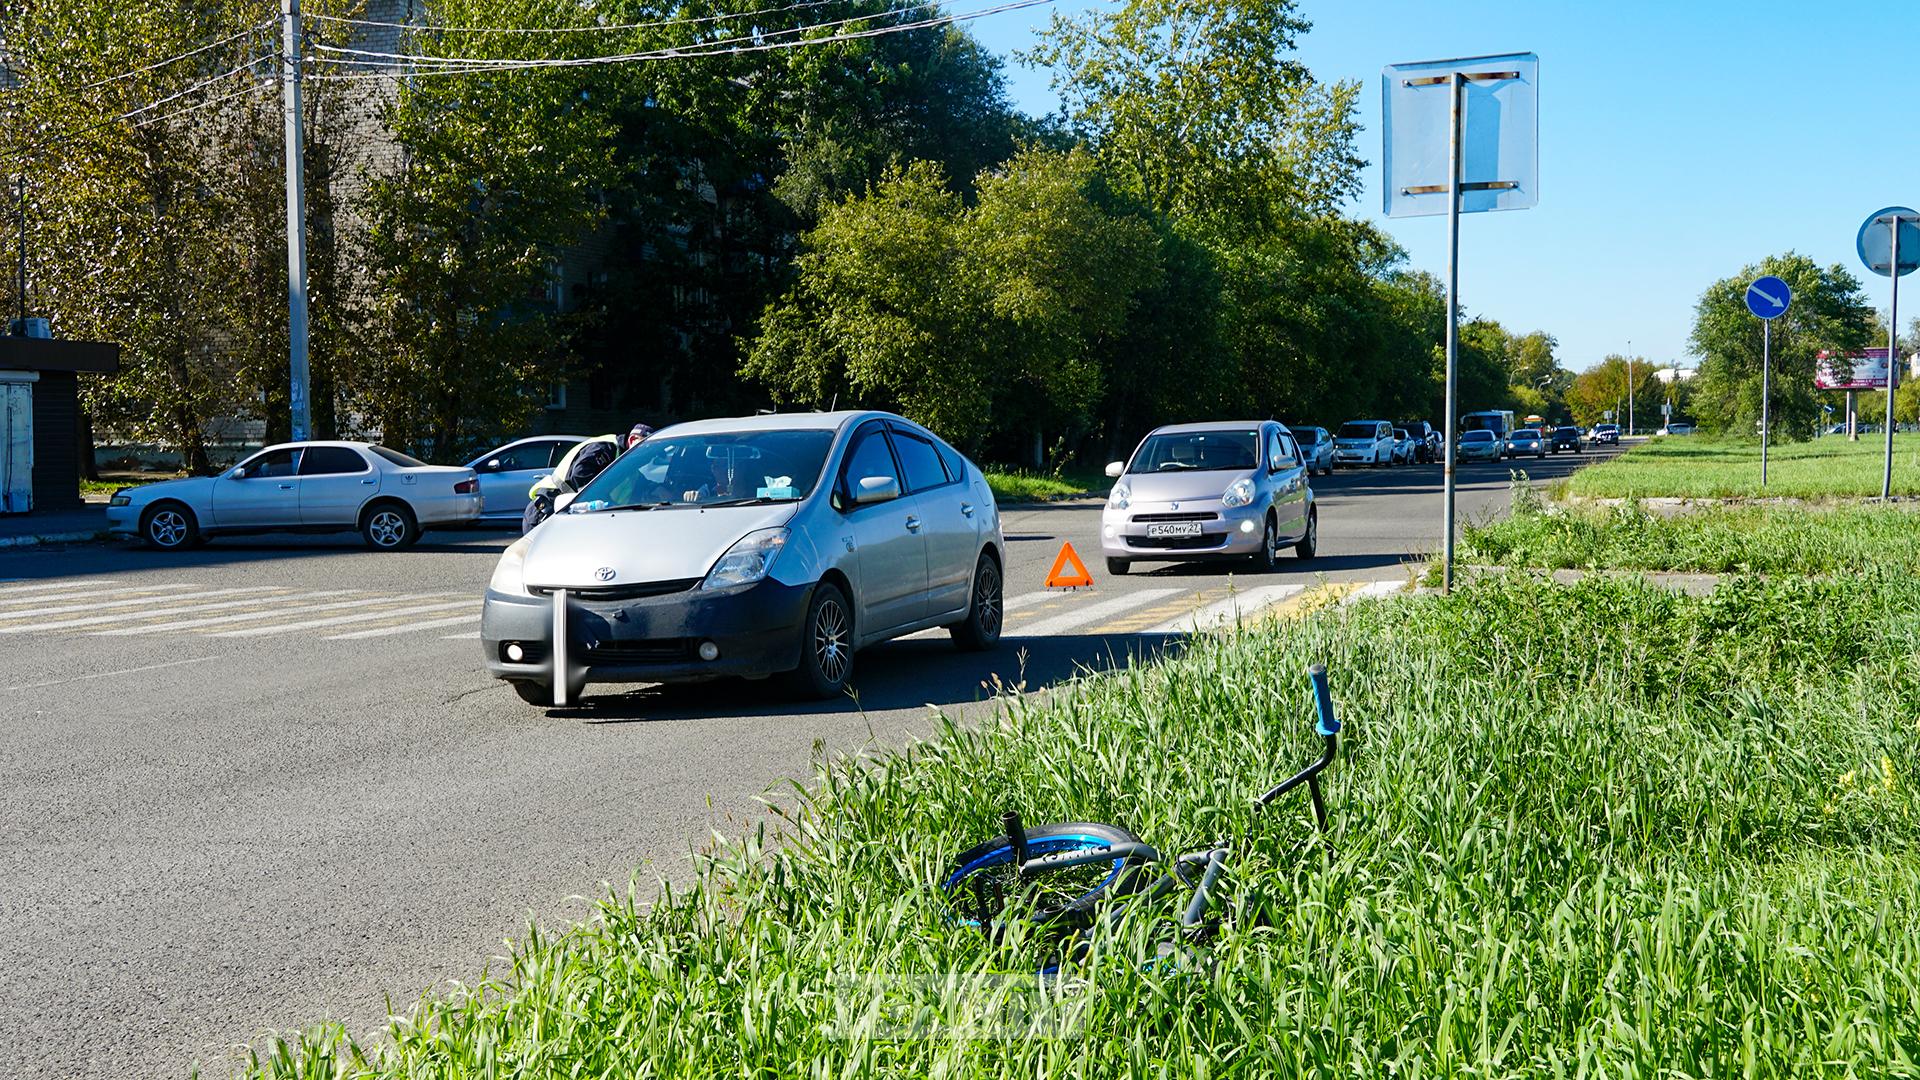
(1708, 468)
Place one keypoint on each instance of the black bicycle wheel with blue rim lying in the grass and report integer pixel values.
(984, 881)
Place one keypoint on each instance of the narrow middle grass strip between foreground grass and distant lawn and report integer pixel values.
(1737, 539)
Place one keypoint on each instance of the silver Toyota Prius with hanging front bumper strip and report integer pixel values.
(754, 547)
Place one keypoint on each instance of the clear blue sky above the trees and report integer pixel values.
(1679, 141)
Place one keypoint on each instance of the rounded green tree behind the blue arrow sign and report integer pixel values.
(1829, 314)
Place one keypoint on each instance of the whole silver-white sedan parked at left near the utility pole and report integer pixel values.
(302, 487)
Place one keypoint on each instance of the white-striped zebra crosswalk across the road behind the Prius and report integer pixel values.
(126, 608)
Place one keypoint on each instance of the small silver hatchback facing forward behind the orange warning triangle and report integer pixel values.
(1211, 491)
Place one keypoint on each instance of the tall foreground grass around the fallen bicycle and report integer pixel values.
(1579, 831)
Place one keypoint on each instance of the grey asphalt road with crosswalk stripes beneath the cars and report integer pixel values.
(266, 783)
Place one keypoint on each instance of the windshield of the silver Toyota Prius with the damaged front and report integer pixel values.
(709, 470)
